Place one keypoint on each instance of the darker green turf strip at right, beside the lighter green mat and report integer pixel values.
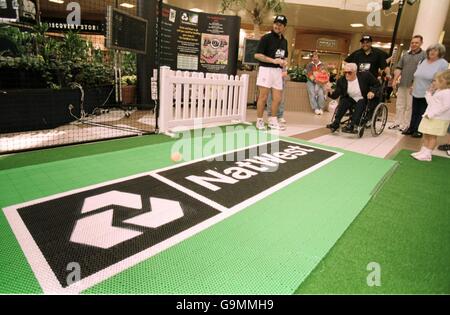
(405, 229)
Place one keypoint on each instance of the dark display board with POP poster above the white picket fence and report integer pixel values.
(194, 41)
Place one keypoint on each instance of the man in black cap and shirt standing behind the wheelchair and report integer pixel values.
(369, 58)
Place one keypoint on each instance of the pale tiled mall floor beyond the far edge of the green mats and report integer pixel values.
(306, 126)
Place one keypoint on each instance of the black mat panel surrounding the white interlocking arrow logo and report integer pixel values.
(52, 223)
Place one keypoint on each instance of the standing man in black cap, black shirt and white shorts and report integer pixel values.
(271, 53)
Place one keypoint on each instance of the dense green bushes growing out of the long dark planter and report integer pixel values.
(59, 61)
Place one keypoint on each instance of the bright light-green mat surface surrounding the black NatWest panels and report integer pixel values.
(268, 248)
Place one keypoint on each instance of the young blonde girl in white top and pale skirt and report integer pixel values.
(436, 119)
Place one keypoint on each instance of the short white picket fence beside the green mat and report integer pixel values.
(187, 98)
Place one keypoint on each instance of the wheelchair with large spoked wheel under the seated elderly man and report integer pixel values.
(373, 118)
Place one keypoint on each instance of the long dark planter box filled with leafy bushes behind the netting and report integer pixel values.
(25, 103)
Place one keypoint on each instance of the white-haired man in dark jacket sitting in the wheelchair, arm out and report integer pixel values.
(356, 91)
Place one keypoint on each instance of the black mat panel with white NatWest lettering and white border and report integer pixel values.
(232, 178)
